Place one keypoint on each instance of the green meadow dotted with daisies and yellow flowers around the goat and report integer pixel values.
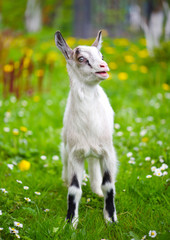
(34, 86)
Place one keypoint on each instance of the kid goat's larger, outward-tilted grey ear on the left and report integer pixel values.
(62, 45)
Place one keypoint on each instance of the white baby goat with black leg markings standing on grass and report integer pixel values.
(88, 128)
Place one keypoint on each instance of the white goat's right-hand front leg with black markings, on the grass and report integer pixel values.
(109, 167)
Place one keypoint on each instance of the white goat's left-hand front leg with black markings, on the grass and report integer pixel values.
(75, 174)
